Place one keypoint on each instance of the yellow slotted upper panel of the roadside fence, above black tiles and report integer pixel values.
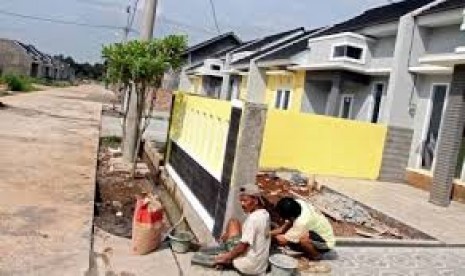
(200, 126)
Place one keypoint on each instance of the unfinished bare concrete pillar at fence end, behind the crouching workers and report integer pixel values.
(246, 163)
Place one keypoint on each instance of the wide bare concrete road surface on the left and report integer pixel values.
(48, 144)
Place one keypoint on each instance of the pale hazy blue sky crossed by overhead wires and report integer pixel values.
(249, 19)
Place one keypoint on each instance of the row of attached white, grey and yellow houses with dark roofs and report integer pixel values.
(399, 65)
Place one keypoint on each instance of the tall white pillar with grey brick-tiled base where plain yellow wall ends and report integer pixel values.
(397, 112)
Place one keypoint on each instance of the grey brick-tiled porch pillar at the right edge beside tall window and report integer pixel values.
(450, 137)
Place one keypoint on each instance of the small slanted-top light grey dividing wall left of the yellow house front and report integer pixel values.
(256, 86)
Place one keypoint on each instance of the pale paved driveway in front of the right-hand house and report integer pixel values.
(406, 204)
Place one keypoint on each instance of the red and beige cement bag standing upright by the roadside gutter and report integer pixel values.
(147, 225)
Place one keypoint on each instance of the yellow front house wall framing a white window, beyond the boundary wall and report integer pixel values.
(293, 81)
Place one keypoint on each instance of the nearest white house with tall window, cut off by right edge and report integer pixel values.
(434, 73)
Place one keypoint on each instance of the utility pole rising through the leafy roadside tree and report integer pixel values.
(134, 115)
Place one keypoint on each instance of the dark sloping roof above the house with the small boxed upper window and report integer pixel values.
(379, 15)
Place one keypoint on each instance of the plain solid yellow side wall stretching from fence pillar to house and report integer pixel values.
(322, 145)
